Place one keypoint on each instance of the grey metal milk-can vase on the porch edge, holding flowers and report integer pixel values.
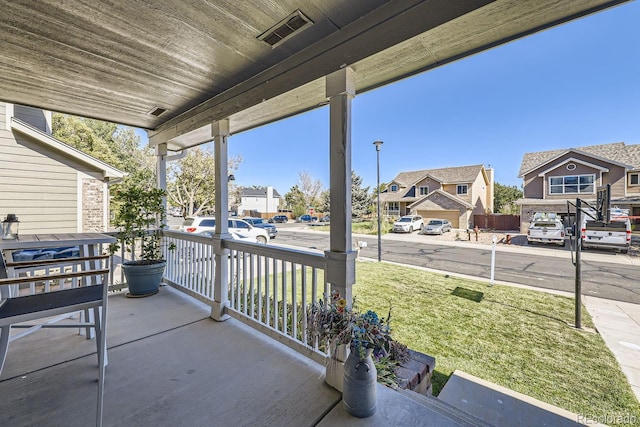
(359, 384)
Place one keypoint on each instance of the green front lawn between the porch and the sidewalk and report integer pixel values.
(517, 338)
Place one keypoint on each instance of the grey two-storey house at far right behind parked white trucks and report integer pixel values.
(551, 178)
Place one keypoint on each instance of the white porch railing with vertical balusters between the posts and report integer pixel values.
(270, 287)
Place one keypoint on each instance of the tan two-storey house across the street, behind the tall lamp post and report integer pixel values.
(455, 193)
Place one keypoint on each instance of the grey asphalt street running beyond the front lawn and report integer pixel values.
(602, 279)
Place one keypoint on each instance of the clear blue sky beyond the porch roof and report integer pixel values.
(574, 85)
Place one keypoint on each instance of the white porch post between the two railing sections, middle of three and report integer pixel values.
(220, 133)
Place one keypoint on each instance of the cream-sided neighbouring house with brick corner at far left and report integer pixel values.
(49, 185)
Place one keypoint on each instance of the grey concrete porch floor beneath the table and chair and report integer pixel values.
(170, 364)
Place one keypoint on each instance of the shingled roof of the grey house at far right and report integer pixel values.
(618, 153)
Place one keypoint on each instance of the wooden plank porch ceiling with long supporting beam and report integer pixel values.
(203, 61)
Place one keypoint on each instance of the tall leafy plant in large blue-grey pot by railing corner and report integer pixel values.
(139, 213)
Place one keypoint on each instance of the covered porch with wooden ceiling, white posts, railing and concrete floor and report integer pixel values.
(195, 72)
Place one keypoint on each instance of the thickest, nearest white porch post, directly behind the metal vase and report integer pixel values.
(340, 258)
